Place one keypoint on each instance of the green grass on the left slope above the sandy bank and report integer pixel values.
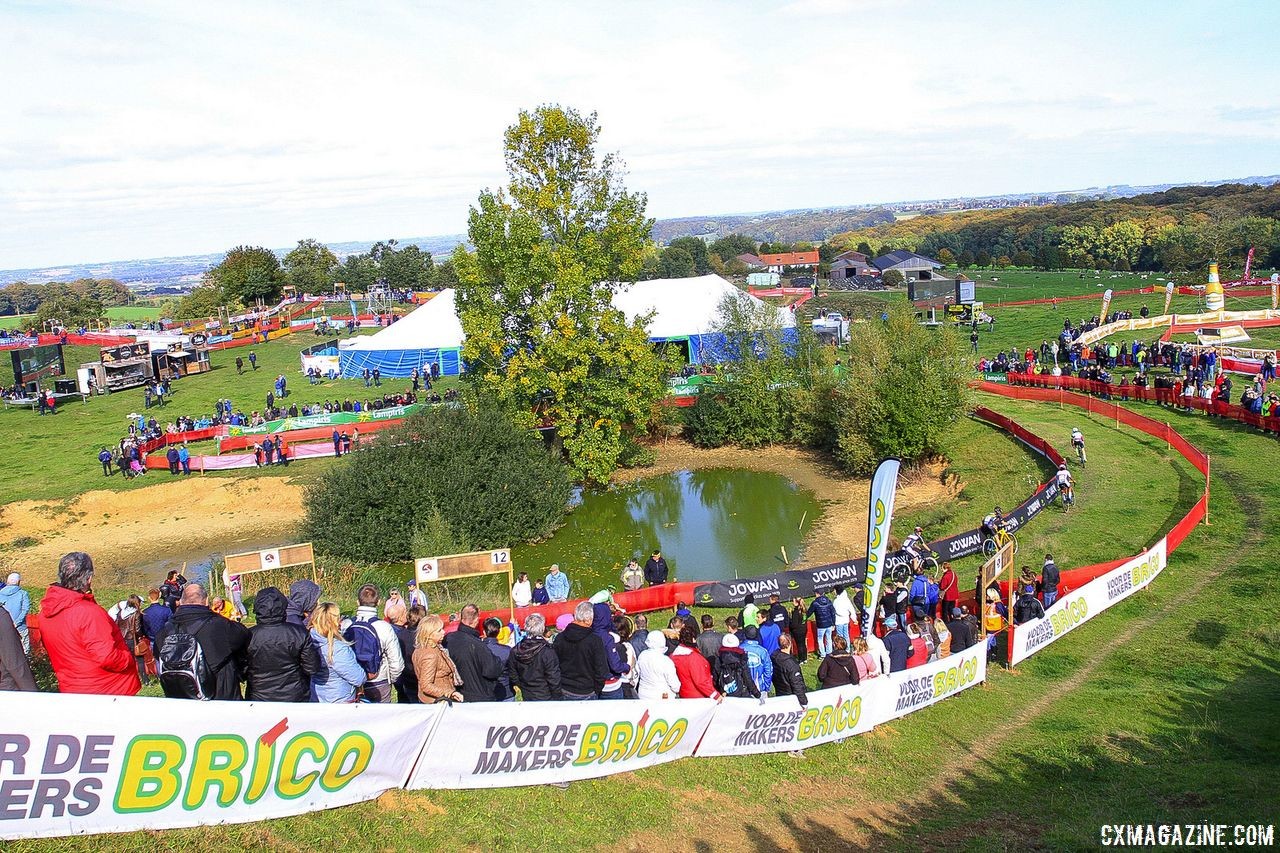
(56, 458)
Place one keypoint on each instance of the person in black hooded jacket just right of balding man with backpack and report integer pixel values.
(281, 658)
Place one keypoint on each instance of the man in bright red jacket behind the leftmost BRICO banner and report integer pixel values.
(85, 647)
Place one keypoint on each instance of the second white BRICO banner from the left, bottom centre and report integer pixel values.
(532, 743)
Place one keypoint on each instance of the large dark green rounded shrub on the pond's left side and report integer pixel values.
(451, 475)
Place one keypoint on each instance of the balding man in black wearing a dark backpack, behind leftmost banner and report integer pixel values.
(199, 654)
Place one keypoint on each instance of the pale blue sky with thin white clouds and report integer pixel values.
(140, 130)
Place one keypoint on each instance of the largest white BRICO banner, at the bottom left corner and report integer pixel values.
(74, 765)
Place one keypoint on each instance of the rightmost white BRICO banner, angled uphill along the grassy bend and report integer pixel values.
(1072, 612)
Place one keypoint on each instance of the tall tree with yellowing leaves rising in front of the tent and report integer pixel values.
(536, 297)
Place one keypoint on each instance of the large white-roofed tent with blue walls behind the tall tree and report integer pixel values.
(685, 312)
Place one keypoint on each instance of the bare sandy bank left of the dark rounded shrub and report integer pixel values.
(126, 530)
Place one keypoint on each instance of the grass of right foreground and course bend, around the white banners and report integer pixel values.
(1159, 710)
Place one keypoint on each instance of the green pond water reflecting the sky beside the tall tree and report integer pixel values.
(711, 526)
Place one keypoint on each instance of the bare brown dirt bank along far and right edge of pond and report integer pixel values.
(842, 533)
